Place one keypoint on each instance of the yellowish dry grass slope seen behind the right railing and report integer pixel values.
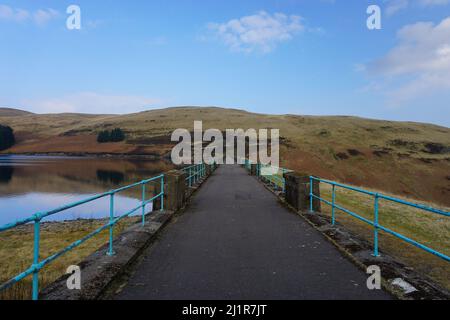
(430, 229)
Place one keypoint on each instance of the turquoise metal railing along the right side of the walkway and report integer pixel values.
(277, 181)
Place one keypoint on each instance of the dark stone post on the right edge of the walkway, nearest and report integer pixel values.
(297, 191)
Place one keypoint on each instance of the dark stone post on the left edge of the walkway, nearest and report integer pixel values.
(175, 190)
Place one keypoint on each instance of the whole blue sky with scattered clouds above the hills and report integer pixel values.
(307, 57)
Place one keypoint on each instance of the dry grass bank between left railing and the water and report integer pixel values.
(16, 247)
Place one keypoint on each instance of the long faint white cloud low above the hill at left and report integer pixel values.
(90, 102)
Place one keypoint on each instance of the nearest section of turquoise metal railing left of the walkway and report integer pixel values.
(38, 264)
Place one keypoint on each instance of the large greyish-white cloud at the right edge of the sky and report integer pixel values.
(419, 64)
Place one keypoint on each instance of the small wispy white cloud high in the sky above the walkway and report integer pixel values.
(260, 32)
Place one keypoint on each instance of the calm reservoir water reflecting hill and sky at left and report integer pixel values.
(30, 184)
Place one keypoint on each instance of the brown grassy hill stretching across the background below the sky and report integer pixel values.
(405, 158)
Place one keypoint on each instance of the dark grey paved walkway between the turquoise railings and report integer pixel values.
(235, 241)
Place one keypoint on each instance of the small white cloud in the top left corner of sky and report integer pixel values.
(39, 17)
